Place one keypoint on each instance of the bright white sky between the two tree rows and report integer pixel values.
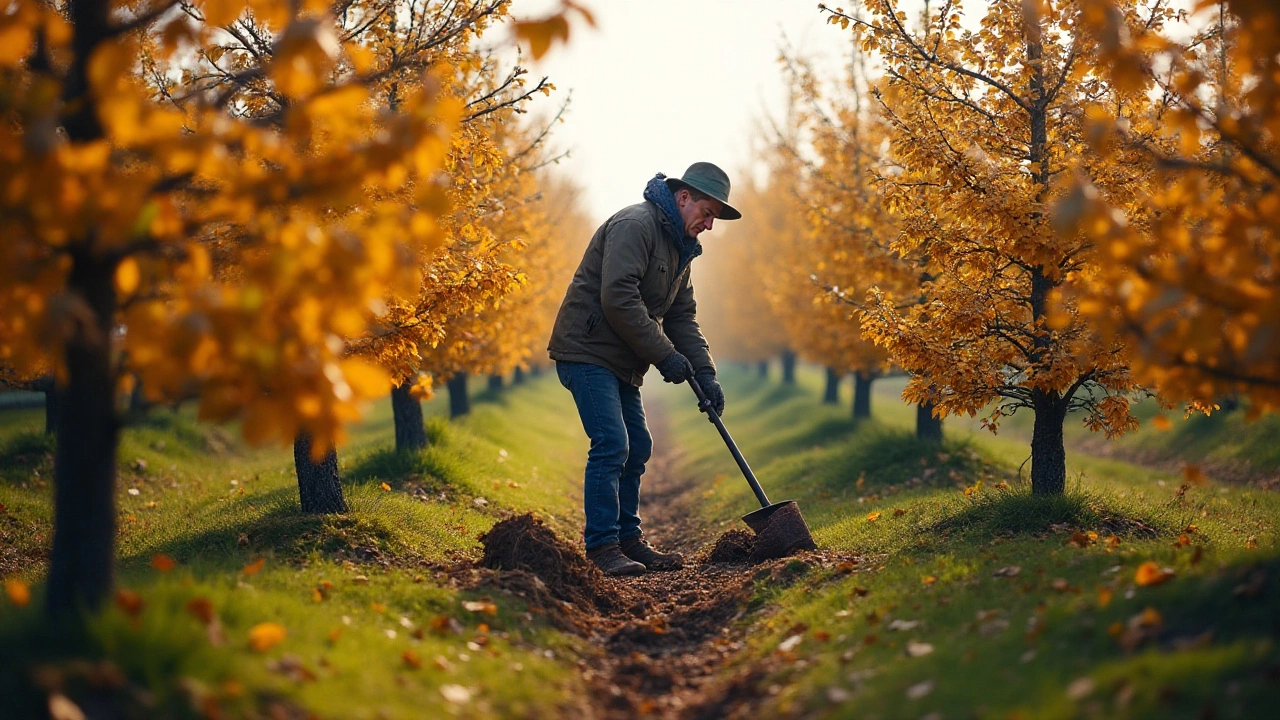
(662, 84)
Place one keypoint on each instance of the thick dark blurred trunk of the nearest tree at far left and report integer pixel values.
(81, 567)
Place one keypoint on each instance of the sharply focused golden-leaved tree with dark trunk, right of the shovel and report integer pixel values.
(984, 124)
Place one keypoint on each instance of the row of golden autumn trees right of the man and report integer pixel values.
(1053, 208)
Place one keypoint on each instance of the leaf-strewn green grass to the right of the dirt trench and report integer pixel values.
(929, 572)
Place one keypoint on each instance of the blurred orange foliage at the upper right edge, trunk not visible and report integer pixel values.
(1192, 284)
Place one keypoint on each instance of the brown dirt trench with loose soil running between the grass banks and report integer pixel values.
(664, 641)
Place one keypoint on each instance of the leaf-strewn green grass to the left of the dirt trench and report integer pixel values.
(373, 628)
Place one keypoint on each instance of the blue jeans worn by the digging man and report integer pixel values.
(614, 418)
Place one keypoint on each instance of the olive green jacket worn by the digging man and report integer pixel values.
(630, 303)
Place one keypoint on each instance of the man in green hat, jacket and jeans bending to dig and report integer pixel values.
(632, 306)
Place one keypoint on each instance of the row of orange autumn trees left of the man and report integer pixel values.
(278, 209)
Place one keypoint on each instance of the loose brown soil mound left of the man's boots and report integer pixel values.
(525, 544)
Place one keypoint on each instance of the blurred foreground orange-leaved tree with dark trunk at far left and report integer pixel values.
(109, 212)
